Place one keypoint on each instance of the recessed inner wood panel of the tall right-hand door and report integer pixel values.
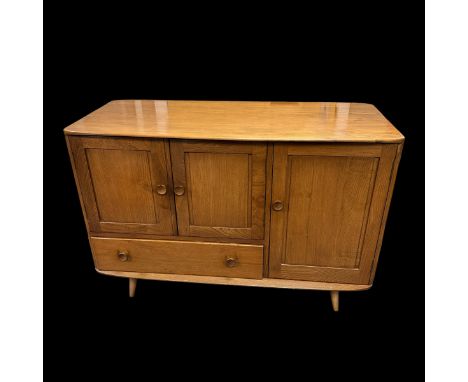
(328, 202)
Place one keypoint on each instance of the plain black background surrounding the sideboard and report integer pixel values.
(362, 53)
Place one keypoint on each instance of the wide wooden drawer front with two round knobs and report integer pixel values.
(179, 257)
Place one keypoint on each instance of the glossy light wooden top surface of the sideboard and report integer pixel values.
(239, 120)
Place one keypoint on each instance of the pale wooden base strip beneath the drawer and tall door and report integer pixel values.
(265, 282)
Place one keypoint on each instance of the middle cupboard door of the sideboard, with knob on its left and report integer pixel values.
(219, 188)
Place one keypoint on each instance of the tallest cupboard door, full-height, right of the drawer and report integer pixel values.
(328, 203)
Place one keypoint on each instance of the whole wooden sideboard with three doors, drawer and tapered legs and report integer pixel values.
(272, 194)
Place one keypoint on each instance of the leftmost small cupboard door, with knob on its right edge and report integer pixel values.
(124, 184)
